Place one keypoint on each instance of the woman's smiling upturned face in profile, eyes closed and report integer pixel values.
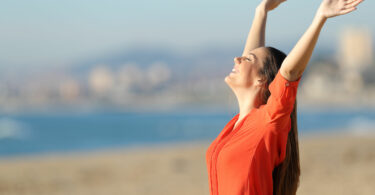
(245, 72)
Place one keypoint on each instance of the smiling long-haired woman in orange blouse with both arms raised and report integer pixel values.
(257, 151)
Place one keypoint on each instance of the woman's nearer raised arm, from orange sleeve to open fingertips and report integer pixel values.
(296, 62)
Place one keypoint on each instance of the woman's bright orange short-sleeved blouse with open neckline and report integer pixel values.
(240, 161)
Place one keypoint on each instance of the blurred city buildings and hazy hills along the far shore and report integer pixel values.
(155, 79)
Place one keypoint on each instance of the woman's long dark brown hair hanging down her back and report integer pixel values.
(285, 175)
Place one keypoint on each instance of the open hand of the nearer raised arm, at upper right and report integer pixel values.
(332, 8)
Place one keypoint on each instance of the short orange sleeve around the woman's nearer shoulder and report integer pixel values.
(282, 98)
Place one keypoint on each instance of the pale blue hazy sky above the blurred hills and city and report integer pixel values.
(42, 32)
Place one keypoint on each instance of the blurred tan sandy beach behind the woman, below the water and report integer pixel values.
(331, 164)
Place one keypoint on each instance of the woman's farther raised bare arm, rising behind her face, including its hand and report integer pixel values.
(256, 36)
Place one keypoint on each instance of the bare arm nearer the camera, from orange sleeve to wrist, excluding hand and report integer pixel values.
(297, 60)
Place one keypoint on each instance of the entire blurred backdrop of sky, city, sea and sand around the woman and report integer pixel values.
(124, 97)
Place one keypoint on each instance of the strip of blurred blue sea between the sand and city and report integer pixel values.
(30, 134)
